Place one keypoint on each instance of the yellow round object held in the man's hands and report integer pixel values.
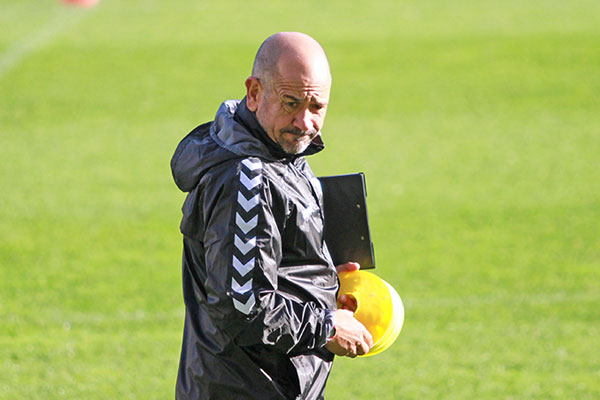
(378, 307)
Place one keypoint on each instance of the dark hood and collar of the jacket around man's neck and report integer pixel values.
(234, 133)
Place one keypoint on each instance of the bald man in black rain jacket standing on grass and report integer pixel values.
(258, 281)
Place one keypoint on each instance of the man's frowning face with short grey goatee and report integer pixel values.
(291, 108)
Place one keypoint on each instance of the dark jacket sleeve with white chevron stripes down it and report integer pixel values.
(243, 217)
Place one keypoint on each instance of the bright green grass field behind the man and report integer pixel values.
(477, 125)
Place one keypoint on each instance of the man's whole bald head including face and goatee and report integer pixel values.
(289, 89)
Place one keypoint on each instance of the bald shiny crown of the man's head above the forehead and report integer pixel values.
(290, 50)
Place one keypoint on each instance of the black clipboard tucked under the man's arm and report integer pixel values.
(347, 232)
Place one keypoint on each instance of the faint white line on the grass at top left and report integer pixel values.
(16, 53)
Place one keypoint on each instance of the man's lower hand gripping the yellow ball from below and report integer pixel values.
(351, 338)
